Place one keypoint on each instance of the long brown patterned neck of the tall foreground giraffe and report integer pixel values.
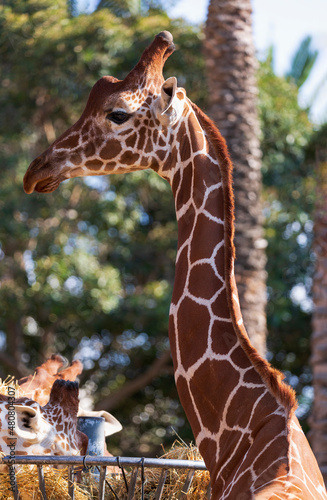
(229, 393)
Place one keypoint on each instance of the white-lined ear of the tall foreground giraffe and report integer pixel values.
(168, 108)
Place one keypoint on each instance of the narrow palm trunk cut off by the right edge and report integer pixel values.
(318, 419)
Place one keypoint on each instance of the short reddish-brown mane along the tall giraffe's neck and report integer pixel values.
(272, 377)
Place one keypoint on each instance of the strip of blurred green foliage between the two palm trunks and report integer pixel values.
(289, 184)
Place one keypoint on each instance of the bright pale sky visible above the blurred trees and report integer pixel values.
(283, 24)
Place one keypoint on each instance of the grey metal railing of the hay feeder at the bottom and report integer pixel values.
(101, 463)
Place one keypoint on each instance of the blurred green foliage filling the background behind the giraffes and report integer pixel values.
(88, 271)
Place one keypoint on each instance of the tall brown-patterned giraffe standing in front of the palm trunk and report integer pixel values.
(241, 412)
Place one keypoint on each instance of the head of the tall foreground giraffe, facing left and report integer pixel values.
(124, 127)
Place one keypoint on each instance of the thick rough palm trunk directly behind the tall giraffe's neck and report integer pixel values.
(232, 65)
